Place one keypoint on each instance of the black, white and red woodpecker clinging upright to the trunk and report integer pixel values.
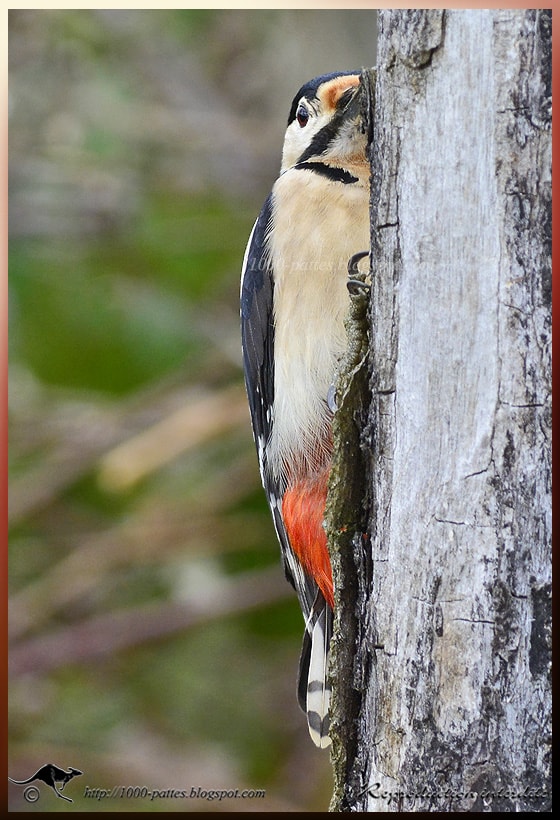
(294, 299)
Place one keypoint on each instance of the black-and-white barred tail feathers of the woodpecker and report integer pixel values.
(314, 690)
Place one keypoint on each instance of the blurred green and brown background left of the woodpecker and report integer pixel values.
(154, 640)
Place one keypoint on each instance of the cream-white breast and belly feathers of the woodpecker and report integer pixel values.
(310, 262)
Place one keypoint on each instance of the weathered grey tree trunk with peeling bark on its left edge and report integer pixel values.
(441, 654)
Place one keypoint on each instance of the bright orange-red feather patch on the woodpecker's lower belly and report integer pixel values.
(303, 511)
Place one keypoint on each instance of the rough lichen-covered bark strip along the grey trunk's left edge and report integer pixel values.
(346, 522)
